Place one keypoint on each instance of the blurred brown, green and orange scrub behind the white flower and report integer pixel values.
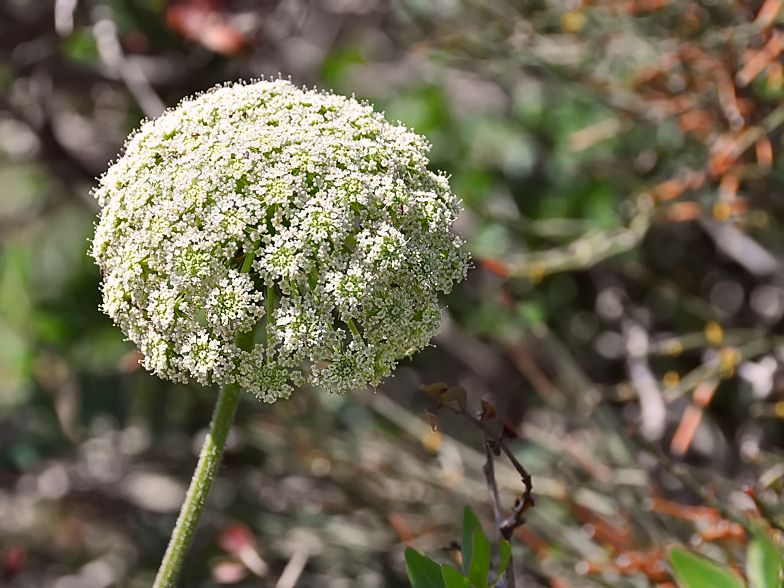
(621, 167)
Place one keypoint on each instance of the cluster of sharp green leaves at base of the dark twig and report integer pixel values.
(476, 569)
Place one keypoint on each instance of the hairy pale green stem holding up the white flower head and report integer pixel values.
(209, 460)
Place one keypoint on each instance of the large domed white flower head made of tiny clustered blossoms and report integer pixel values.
(303, 213)
